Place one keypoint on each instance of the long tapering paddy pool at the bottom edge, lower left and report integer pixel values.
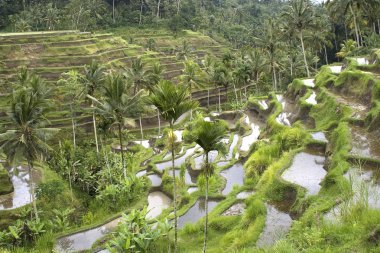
(84, 240)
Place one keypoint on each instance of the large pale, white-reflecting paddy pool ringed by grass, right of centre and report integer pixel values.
(306, 171)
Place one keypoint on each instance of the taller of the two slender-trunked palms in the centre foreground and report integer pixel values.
(172, 101)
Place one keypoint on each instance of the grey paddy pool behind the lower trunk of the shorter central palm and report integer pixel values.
(196, 212)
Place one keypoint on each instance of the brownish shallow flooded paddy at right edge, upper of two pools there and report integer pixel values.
(364, 144)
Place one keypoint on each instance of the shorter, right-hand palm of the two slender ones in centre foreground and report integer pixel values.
(209, 136)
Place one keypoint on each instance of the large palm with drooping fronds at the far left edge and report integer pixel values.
(27, 139)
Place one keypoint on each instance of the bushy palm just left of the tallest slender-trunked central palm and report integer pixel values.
(118, 107)
